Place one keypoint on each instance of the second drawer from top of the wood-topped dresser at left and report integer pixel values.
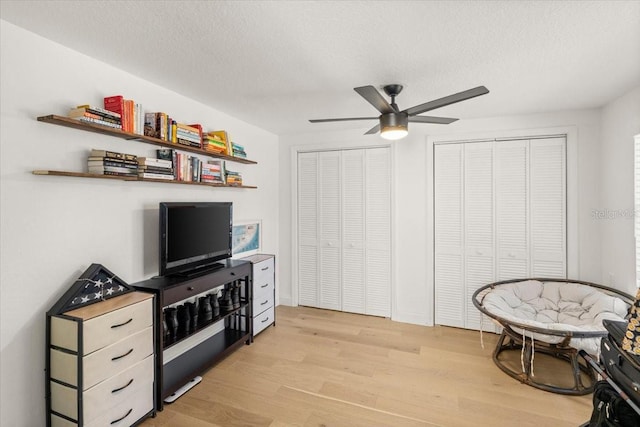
(103, 363)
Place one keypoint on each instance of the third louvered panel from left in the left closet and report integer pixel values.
(353, 236)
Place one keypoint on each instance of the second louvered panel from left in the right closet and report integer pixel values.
(479, 259)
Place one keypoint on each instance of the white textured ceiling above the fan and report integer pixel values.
(276, 64)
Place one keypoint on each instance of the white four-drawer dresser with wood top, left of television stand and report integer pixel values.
(100, 363)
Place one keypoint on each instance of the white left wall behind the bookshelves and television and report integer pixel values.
(53, 228)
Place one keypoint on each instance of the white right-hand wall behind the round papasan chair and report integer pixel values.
(620, 122)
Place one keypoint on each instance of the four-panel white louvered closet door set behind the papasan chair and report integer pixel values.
(500, 213)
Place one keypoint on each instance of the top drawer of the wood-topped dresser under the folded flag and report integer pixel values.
(101, 331)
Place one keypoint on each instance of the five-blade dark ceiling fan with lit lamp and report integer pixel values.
(393, 122)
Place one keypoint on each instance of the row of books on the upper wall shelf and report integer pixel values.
(128, 116)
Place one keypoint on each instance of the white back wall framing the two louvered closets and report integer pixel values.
(413, 276)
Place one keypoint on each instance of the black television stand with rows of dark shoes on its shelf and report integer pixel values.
(188, 355)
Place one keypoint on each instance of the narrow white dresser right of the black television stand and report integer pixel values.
(264, 291)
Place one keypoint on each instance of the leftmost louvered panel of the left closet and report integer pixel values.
(308, 284)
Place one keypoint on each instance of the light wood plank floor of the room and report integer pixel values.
(326, 368)
